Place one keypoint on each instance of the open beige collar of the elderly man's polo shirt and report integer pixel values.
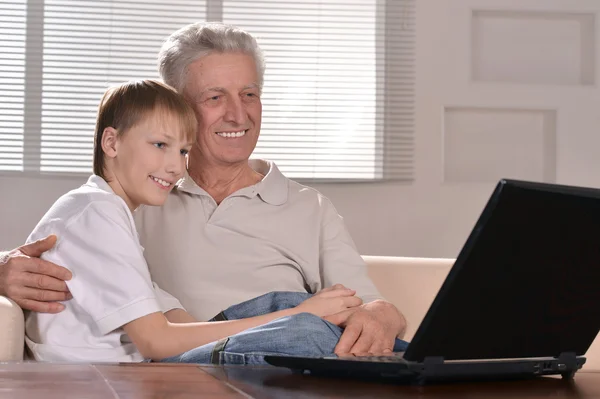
(272, 189)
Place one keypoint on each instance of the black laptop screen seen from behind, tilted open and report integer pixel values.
(526, 283)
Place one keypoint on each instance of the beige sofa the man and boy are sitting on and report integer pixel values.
(409, 283)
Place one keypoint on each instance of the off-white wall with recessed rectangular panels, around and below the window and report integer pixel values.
(433, 215)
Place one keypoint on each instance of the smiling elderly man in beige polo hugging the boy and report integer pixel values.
(233, 229)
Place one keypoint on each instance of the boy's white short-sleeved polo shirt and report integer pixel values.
(111, 285)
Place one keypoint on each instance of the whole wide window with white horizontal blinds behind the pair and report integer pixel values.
(338, 100)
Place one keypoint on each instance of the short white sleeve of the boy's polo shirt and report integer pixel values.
(111, 281)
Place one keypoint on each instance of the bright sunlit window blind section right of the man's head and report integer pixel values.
(333, 105)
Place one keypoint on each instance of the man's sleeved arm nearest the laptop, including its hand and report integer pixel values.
(374, 326)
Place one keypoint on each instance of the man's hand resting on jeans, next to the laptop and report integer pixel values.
(371, 328)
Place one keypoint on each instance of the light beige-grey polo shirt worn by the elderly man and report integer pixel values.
(276, 235)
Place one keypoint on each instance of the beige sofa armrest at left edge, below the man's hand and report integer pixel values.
(12, 332)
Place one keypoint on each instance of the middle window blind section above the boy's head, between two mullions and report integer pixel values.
(88, 46)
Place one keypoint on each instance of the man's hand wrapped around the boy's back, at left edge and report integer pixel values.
(33, 283)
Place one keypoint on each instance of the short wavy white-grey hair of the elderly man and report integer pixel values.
(198, 40)
